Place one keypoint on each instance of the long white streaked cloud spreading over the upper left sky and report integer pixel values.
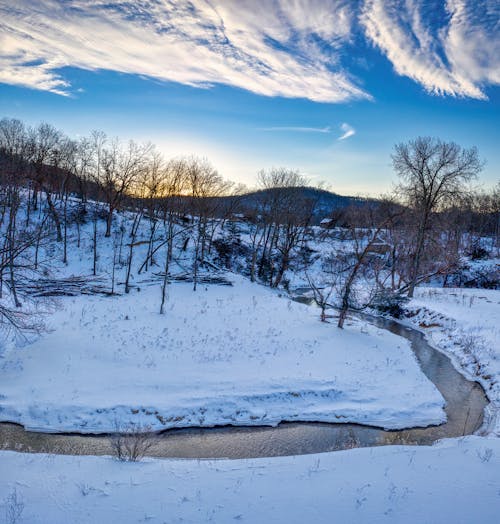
(269, 48)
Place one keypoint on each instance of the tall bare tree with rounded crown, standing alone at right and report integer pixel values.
(431, 172)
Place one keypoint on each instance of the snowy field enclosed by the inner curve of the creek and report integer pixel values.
(222, 355)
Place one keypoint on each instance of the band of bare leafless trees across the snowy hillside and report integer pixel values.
(50, 183)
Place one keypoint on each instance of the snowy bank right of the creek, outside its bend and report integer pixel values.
(465, 323)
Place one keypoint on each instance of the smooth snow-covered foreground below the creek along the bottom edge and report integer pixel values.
(455, 481)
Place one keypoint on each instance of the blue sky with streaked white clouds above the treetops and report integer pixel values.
(326, 87)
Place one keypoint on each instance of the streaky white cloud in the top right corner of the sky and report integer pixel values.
(456, 58)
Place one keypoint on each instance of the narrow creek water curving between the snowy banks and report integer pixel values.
(465, 403)
